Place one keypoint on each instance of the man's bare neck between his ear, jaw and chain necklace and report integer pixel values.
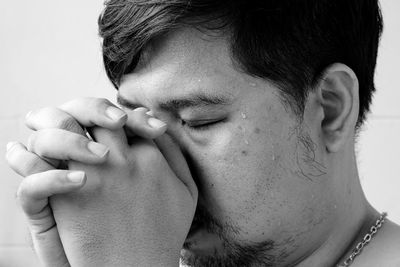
(354, 217)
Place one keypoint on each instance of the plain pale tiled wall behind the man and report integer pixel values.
(50, 53)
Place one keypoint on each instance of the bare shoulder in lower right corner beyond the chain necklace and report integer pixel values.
(384, 248)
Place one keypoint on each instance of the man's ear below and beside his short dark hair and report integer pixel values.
(339, 99)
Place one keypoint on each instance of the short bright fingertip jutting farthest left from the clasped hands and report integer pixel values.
(24, 162)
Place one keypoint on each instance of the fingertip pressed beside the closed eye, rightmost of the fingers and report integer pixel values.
(141, 122)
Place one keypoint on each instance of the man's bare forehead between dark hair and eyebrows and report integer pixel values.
(182, 62)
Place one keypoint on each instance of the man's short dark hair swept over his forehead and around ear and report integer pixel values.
(289, 42)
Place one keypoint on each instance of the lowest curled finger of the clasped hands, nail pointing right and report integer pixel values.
(34, 190)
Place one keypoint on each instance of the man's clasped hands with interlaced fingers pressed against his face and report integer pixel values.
(121, 201)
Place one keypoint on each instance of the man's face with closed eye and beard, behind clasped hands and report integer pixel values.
(264, 196)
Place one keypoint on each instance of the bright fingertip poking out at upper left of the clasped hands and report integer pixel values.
(51, 117)
